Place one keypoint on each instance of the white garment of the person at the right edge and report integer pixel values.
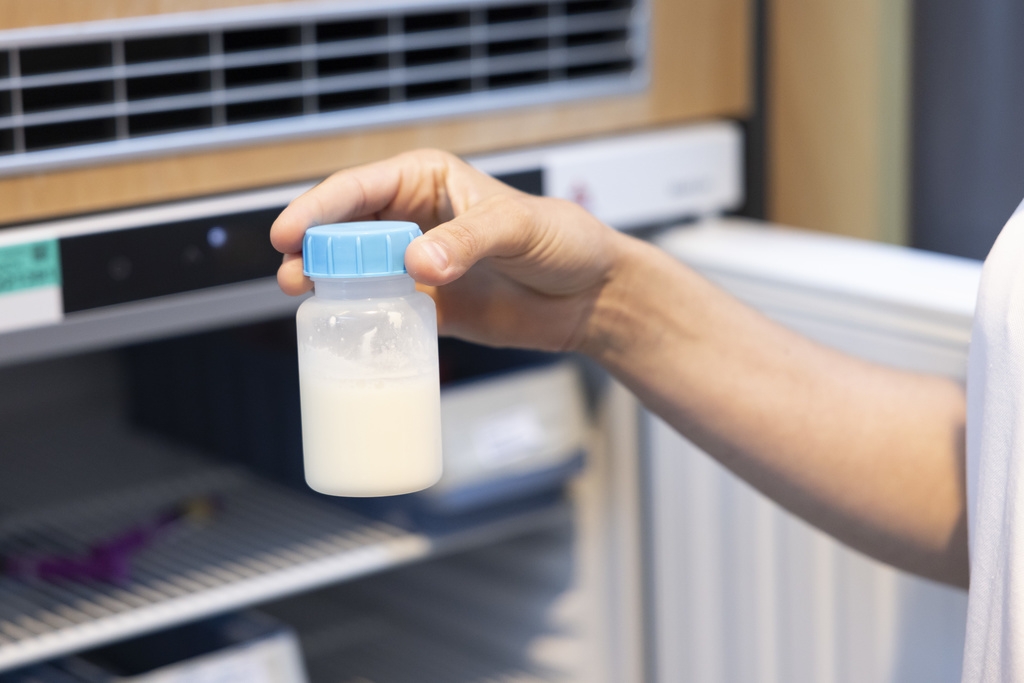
(995, 649)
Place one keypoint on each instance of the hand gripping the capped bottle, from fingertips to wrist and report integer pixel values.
(504, 268)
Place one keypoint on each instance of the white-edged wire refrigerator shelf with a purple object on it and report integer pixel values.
(262, 543)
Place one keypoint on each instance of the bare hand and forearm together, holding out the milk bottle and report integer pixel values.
(871, 455)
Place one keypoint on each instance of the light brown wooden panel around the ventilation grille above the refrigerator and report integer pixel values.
(700, 71)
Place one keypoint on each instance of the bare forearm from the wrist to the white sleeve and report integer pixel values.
(871, 455)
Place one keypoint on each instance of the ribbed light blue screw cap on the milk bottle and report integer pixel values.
(368, 249)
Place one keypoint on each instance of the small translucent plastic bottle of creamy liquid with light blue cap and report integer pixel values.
(368, 364)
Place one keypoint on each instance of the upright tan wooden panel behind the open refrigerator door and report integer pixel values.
(838, 116)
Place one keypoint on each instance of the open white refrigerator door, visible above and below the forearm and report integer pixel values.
(744, 591)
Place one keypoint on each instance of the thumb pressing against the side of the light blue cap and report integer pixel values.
(501, 226)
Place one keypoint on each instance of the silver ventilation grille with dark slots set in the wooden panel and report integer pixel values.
(145, 84)
